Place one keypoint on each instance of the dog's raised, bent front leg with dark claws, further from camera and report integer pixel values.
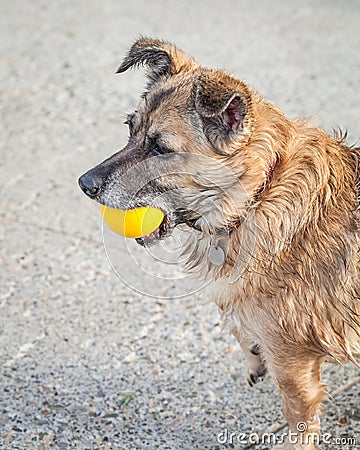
(255, 367)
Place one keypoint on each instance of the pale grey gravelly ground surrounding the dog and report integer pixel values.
(86, 362)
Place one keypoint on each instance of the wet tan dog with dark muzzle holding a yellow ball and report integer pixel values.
(273, 204)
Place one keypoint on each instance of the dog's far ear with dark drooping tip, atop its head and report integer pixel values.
(161, 58)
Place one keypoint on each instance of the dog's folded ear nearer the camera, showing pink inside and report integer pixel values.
(224, 104)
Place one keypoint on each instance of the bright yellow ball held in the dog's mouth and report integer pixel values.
(132, 223)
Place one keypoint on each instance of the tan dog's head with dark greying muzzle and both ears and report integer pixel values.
(189, 150)
